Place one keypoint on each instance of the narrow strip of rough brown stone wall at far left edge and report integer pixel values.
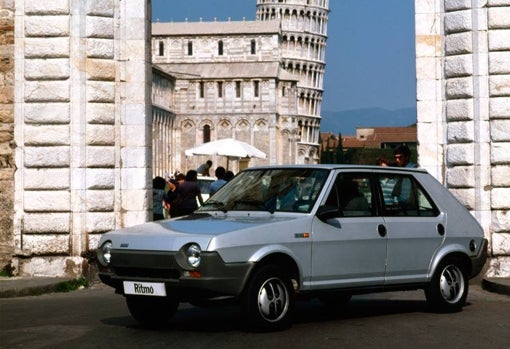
(6, 130)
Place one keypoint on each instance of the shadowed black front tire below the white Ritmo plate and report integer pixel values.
(153, 312)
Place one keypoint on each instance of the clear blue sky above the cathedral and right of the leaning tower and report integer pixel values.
(369, 54)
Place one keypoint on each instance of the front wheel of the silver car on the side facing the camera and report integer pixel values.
(268, 300)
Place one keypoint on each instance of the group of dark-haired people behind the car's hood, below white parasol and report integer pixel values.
(178, 196)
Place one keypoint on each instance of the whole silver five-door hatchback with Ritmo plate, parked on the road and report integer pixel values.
(276, 233)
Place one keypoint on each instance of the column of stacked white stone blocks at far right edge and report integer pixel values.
(498, 24)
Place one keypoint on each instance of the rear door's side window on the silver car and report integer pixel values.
(403, 196)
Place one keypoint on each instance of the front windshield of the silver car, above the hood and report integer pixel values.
(272, 190)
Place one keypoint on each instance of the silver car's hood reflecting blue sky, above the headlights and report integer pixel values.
(171, 235)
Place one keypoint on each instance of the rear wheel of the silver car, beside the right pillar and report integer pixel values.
(449, 286)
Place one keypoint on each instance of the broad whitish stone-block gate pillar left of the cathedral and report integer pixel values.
(82, 128)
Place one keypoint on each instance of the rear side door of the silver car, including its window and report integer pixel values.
(415, 228)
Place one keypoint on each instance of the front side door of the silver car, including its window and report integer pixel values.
(349, 246)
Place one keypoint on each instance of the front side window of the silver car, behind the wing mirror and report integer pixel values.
(352, 195)
